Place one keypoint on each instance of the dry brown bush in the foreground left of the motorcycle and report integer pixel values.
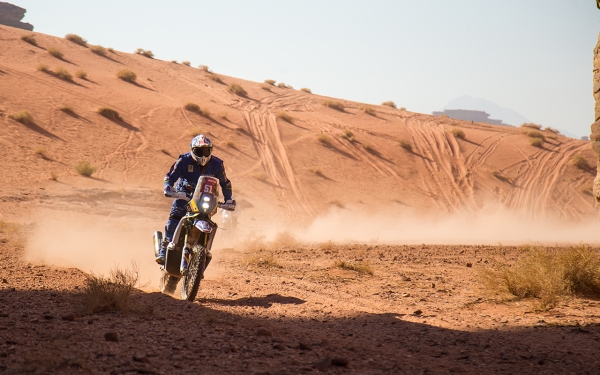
(109, 294)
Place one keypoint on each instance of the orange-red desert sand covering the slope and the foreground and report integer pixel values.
(426, 219)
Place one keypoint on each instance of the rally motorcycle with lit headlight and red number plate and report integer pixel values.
(189, 254)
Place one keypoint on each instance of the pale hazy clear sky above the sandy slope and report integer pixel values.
(532, 56)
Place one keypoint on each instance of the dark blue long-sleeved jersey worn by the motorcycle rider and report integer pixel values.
(184, 174)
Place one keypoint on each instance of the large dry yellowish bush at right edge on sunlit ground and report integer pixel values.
(547, 274)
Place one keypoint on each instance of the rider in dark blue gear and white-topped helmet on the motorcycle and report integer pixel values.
(183, 175)
